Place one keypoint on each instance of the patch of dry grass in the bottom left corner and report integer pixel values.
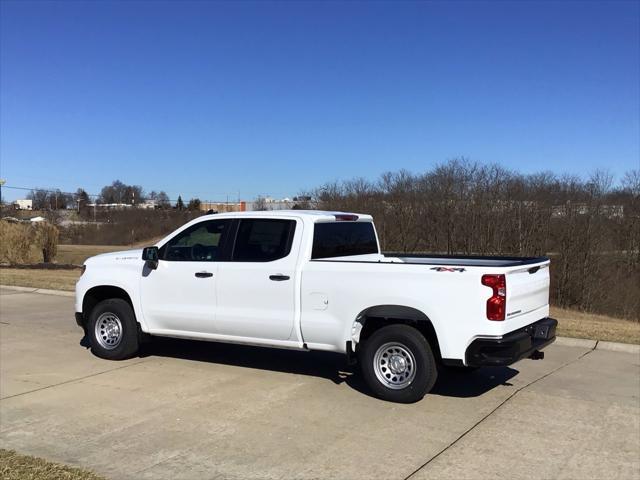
(14, 466)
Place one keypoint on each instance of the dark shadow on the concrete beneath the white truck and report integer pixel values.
(331, 366)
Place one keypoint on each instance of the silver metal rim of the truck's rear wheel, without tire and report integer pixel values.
(395, 365)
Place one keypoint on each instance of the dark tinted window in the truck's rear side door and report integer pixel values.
(265, 240)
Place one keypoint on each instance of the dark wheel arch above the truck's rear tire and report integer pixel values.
(372, 318)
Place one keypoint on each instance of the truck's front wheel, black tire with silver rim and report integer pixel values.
(105, 311)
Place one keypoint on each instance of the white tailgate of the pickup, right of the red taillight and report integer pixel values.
(527, 289)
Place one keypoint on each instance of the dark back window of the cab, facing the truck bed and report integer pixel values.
(341, 239)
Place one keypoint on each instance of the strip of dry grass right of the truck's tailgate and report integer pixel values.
(576, 324)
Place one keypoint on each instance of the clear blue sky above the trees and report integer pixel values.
(208, 99)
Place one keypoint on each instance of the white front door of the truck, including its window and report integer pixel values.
(180, 295)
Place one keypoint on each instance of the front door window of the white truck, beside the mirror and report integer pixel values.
(201, 242)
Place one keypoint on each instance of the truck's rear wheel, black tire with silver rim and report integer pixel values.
(415, 345)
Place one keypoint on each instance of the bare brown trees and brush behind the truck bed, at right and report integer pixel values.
(589, 227)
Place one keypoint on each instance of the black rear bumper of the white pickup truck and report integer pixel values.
(514, 346)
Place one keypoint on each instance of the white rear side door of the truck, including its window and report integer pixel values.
(256, 289)
